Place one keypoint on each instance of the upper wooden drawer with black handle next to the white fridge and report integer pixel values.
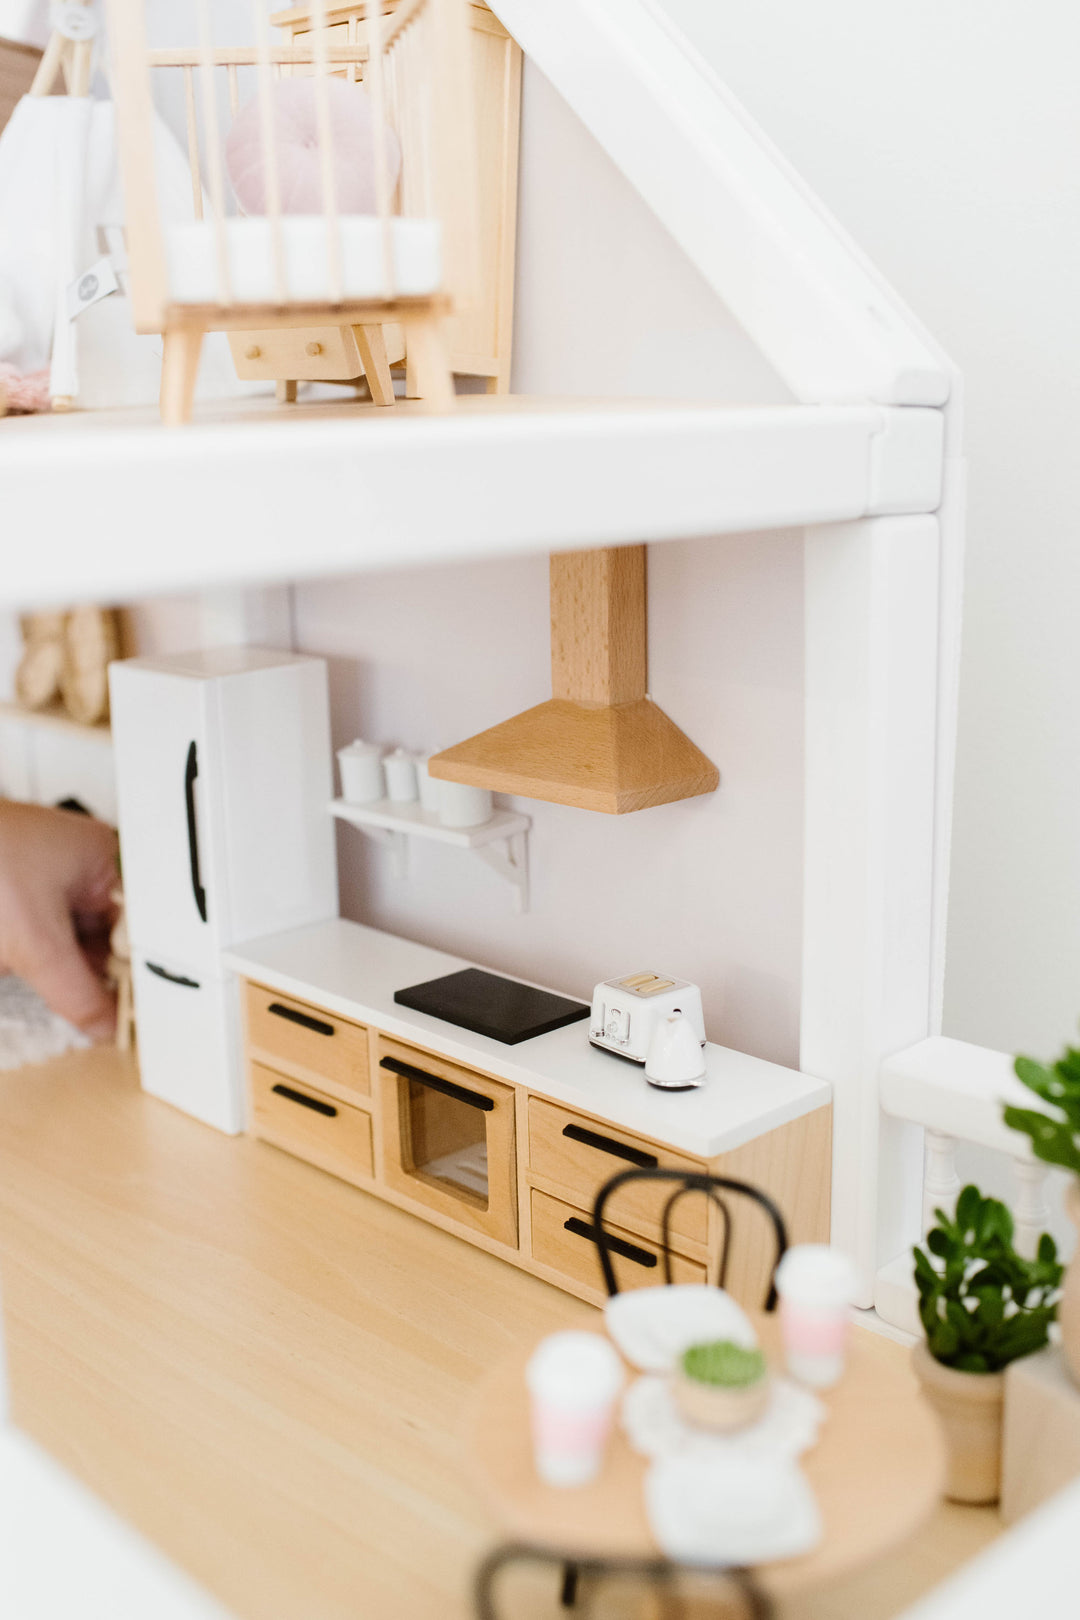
(308, 1042)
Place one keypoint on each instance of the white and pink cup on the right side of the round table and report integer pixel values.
(817, 1287)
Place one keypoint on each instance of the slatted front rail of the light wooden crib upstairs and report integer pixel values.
(414, 59)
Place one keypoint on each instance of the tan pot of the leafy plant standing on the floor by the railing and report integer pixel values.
(971, 1412)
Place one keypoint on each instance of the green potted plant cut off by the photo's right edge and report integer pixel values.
(1055, 1136)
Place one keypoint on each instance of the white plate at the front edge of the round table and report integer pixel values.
(731, 1511)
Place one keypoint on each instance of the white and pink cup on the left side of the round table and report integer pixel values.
(574, 1381)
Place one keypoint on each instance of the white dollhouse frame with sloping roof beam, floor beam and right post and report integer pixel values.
(869, 461)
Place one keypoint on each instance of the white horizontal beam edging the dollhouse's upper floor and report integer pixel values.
(253, 492)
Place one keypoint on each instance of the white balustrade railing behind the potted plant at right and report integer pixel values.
(956, 1093)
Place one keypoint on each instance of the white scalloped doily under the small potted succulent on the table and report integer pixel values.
(657, 1428)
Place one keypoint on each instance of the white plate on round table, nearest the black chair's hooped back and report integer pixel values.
(655, 1326)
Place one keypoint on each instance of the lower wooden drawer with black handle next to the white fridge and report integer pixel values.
(313, 1127)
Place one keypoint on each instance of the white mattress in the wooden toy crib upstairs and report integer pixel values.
(195, 278)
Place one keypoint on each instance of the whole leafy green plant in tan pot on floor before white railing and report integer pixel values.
(982, 1307)
